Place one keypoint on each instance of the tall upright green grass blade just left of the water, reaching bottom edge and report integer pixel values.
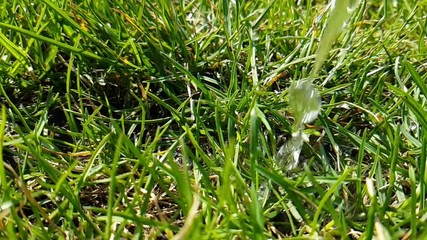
(257, 218)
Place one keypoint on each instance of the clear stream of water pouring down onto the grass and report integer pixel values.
(304, 98)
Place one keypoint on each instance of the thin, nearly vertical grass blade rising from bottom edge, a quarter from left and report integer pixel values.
(113, 183)
